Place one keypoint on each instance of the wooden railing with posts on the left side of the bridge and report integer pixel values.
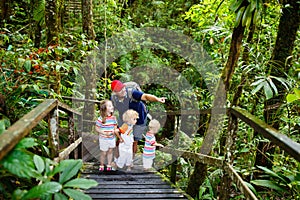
(51, 110)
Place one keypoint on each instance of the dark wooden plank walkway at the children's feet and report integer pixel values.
(135, 184)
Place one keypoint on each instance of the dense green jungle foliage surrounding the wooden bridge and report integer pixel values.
(32, 70)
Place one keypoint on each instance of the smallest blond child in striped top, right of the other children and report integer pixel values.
(150, 144)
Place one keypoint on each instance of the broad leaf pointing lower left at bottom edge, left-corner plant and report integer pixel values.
(43, 190)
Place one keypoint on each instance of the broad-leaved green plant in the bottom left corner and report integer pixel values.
(37, 176)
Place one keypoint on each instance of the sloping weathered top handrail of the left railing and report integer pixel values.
(10, 137)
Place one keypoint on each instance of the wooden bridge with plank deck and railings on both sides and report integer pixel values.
(136, 184)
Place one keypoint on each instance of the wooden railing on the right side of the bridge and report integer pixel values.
(285, 143)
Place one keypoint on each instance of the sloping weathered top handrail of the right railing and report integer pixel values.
(287, 144)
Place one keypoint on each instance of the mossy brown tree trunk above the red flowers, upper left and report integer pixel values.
(51, 19)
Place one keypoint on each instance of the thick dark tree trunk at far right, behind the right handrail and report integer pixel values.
(281, 59)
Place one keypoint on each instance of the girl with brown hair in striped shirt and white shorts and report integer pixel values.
(106, 127)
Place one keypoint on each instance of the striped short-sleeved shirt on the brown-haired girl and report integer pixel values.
(108, 127)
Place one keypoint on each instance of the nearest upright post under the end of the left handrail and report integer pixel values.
(53, 133)
